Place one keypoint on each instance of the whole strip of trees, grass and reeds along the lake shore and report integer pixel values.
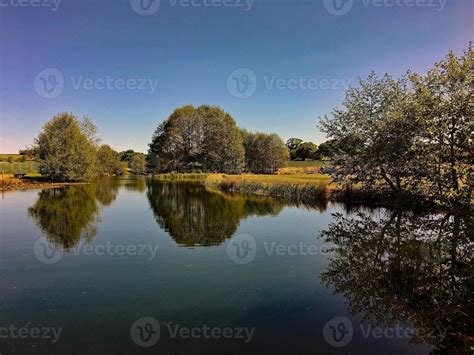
(395, 141)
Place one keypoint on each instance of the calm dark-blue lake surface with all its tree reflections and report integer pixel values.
(137, 266)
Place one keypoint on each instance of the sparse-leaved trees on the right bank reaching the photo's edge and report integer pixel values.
(408, 136)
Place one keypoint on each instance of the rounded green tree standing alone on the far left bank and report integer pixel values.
(66, 148)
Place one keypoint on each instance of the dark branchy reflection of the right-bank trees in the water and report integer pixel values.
(395, 267)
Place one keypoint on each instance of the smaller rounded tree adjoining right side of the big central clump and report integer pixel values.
(264, 153)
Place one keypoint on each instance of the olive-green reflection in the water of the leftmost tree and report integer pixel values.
(68, 215)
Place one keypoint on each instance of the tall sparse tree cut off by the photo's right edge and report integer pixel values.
(444, 99)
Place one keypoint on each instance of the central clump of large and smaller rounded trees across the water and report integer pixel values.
(207, 139)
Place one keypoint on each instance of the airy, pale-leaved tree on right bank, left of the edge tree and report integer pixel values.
(376, 133)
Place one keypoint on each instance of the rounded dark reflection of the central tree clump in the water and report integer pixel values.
(193, 215)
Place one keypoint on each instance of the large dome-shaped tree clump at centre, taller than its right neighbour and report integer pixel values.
(204, 138)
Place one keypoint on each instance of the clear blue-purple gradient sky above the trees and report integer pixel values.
(275, 65)
